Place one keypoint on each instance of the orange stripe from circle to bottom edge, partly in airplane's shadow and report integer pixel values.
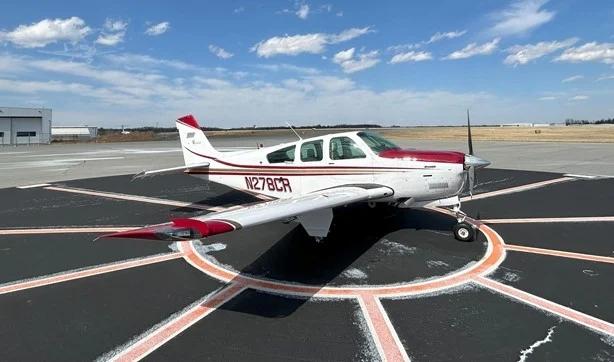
(170, 330)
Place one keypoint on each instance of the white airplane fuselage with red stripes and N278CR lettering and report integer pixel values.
(252, 172)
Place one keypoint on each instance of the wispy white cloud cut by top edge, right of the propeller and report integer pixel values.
(521, 17)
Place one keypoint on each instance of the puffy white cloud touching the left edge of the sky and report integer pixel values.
(47, 31)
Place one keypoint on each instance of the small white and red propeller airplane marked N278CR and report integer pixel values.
(303, 181)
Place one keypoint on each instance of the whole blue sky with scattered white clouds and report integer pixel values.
(239, 63)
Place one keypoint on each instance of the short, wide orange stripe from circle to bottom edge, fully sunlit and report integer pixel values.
(386, 339)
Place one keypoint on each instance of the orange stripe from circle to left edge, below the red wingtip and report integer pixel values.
(86, 272)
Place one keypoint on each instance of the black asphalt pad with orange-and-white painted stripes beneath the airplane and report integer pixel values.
(388, 284)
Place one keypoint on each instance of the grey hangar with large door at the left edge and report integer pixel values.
(24, 126)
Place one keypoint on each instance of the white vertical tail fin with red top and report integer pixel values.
(194, 144)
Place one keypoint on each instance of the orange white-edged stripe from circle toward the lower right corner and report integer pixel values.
(549, 306)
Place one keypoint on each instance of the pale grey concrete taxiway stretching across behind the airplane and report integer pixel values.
(59, 162)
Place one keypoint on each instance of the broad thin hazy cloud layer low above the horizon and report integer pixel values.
(111, 95)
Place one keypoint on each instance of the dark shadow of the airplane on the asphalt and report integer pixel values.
(297, 258)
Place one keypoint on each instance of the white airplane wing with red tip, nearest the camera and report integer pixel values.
(240, 217)
